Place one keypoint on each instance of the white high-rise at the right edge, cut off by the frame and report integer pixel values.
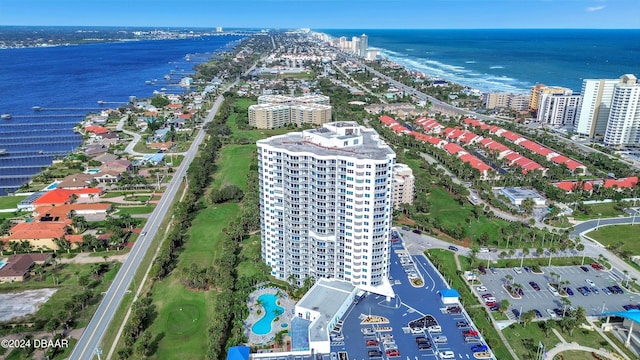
(623, 125)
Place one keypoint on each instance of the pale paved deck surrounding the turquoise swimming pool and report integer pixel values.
(283, 300)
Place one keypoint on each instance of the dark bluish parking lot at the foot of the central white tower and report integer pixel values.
(410, 314)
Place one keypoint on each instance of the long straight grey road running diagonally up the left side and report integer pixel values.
(89, 343)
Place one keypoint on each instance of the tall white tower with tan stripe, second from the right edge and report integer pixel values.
(593, 114)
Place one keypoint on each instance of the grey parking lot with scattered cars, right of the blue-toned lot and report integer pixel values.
(595, 301)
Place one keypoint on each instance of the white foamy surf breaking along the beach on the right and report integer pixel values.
(460, 74)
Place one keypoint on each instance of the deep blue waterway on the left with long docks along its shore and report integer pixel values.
(68, 81)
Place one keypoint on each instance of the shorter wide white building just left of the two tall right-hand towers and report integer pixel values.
(558, 109)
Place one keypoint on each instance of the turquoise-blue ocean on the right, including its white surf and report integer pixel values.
(509, 60)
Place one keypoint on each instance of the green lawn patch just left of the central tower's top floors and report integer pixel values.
(233, 166)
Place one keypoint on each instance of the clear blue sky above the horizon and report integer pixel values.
(327, 14)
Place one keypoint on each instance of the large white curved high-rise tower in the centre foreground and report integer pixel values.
(326, 205)
